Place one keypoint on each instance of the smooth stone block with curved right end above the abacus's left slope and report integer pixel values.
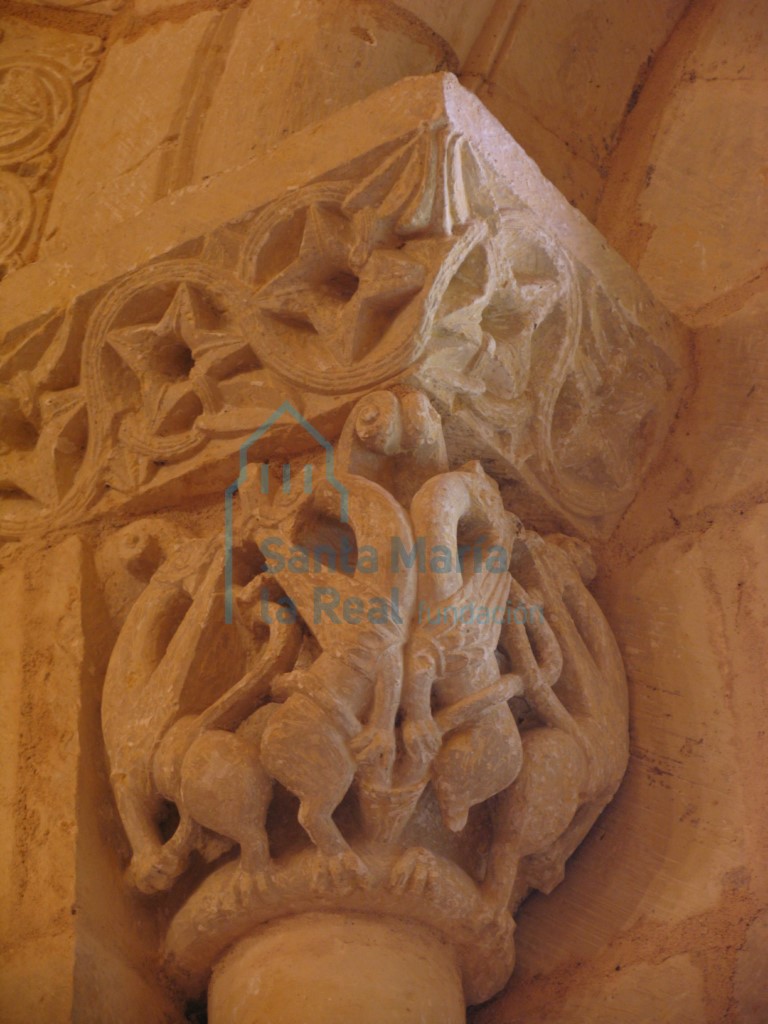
(286, 62)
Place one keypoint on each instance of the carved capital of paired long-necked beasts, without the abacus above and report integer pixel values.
(414, 710)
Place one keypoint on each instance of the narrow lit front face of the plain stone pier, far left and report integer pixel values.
(41, 695)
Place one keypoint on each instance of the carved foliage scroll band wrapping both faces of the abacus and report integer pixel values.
(409, 270)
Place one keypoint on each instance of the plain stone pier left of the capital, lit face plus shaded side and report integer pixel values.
(73, 943)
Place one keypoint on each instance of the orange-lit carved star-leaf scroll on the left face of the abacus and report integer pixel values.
(322, 294)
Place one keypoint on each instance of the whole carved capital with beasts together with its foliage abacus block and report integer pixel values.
(327, 415)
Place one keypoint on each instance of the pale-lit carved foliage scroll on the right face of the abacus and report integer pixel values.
(564, 385)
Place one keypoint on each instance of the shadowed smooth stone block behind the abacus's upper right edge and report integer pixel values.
(563, 78)
